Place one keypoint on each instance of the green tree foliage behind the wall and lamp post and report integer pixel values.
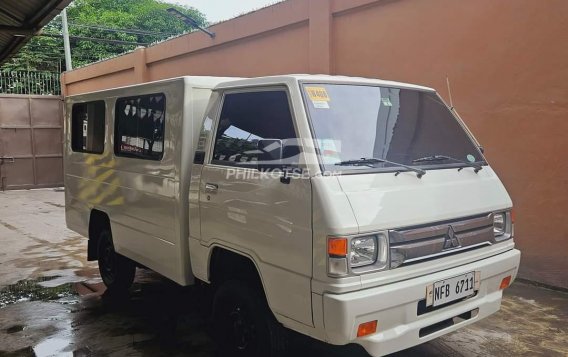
(46, 53)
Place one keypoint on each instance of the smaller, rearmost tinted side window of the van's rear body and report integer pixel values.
(88, 127)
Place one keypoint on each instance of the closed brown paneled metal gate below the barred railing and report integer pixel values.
(31, 141)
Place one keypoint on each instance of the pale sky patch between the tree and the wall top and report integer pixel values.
(219, 10)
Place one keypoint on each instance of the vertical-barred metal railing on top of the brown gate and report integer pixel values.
(32, 83)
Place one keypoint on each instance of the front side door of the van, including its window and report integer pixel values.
(256, 213)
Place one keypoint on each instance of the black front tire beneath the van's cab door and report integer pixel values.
(243, 325)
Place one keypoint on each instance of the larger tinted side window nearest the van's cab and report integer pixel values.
(140, 125)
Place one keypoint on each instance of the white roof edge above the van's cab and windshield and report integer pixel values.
(292, 79)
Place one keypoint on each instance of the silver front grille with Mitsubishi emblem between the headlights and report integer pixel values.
(418, 244)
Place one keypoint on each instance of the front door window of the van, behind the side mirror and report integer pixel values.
(246, 118)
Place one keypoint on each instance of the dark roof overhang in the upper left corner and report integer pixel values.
(20, 20)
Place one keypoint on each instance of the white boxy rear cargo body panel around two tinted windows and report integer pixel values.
(145, 200)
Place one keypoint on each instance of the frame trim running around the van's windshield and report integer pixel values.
(392, 169)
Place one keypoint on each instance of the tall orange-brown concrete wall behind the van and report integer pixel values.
(506, 61)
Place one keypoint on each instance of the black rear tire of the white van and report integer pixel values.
(116, 270)
